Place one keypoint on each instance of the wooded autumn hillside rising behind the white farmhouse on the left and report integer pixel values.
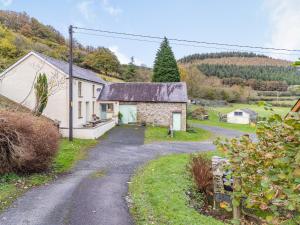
(20, 33)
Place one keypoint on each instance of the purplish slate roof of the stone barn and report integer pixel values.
(144, 92)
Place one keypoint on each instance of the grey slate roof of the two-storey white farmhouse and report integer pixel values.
(78, 72)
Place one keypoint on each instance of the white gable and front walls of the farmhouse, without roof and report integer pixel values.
(17, 84)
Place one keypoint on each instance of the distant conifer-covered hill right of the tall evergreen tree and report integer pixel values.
(260, 72)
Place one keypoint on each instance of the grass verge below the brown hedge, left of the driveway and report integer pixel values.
(13, 185)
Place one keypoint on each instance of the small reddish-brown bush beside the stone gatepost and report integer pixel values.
(201, 171)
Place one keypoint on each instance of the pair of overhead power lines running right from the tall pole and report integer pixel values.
(181, 44)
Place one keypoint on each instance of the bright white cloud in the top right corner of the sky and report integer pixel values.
(284, 20)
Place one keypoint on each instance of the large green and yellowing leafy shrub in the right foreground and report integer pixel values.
(267, 172)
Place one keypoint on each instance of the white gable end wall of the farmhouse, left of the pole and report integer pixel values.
(18, 82)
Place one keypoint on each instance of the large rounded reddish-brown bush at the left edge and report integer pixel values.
(27, 143)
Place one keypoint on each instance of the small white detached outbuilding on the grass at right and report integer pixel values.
(241, 116)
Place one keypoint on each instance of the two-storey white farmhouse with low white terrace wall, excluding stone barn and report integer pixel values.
(17, 83)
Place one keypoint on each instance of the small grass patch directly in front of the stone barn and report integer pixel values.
(153, 134)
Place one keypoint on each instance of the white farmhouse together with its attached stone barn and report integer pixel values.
(97, 105)
